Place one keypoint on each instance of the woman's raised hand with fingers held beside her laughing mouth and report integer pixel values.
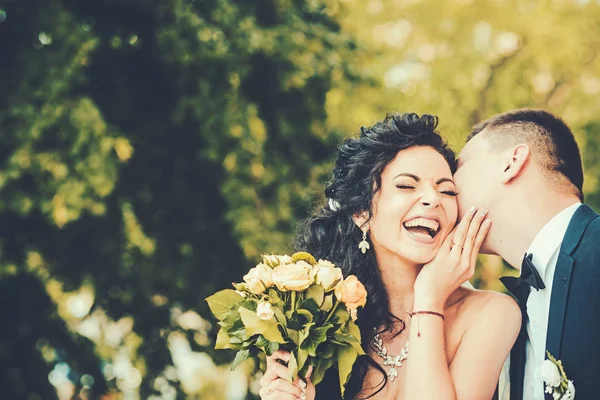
(454, 263)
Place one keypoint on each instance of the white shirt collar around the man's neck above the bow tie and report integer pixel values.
(550, 237)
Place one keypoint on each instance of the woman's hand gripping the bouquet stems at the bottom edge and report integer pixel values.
(274, 385)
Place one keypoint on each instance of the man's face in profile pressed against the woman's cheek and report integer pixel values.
(478, 176)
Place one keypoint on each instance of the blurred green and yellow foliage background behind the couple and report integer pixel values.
(150, 150)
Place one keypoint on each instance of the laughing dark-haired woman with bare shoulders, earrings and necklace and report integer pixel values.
(392, 195)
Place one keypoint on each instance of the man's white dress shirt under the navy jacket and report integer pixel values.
(545, 248)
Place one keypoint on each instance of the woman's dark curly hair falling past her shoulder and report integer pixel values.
(332, 234)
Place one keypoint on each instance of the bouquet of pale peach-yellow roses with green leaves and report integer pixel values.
(297, 304)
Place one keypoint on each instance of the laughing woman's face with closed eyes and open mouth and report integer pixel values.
(415, 207)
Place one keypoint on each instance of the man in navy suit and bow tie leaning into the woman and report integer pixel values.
(524, 166)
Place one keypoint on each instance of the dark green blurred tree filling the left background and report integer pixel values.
(150, 151)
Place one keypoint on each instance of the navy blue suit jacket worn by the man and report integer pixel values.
(573, 334)
